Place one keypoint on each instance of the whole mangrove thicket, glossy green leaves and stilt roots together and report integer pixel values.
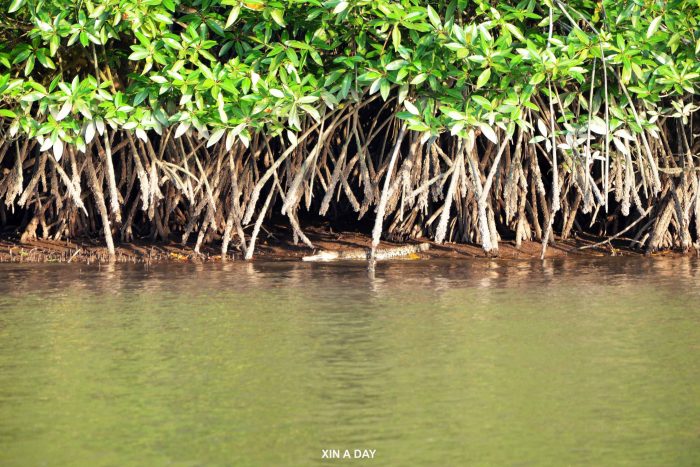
(285, 95)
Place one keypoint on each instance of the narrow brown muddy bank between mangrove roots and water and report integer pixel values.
(278, 246)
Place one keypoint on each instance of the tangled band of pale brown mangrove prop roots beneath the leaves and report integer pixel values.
(446, 188)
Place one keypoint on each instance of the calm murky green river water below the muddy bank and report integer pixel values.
(586, 362)
